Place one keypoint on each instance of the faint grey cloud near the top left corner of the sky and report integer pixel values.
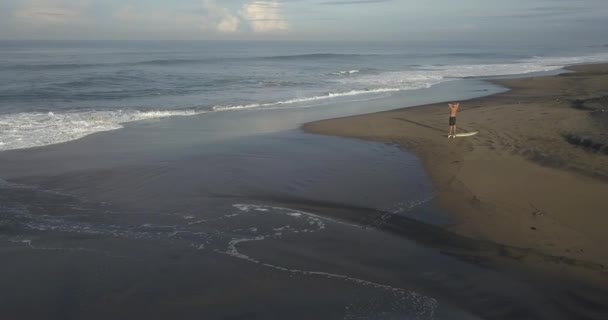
(51, 12)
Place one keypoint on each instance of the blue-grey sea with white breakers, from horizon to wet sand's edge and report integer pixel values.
(54, 91)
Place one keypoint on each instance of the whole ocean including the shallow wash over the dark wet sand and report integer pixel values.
(171, 180)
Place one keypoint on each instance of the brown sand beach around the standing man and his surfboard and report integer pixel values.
(533, 178)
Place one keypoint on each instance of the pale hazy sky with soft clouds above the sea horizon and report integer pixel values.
(535, 20)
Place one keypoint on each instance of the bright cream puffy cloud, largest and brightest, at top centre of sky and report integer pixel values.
(265, 16)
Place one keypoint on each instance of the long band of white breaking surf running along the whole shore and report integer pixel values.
(26, 130)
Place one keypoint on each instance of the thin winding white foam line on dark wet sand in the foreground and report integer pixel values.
(420, 305)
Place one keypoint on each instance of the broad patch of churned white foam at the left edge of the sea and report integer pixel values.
(27, 130)
